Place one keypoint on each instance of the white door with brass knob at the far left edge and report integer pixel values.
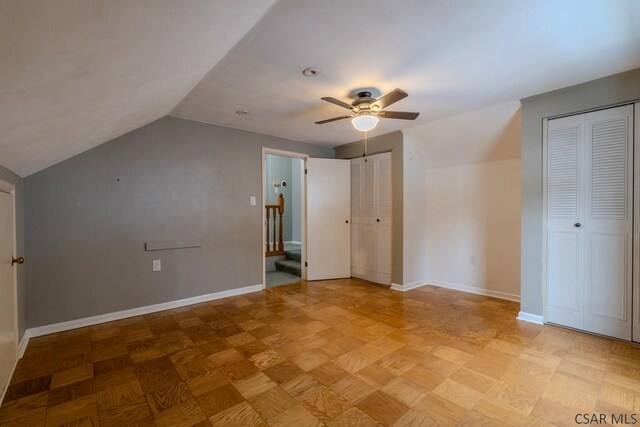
(8, 326)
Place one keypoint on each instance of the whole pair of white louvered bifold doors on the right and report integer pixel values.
(590, 222)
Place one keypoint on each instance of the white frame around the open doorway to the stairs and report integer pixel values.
(303, 207)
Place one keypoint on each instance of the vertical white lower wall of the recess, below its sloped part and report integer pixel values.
(474, 211)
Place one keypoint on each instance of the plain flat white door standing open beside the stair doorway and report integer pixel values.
(328, 214)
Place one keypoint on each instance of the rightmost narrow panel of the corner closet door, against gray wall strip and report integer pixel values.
(383, 217)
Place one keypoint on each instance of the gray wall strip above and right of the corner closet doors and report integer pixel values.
(392, 142)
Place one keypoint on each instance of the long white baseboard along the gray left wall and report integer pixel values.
(118, 315)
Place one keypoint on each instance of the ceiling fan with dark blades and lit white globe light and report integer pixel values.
(367, 110)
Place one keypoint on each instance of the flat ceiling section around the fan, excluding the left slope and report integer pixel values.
(451, 56)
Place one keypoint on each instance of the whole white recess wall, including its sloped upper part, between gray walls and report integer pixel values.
(462, 199)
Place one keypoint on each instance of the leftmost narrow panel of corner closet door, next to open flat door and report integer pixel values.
(357, 253)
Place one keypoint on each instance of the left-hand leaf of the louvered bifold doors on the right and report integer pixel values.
(564, 196)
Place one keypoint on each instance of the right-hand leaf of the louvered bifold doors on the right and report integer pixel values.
(608, 223)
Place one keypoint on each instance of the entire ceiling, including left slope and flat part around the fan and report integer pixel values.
(77, 73)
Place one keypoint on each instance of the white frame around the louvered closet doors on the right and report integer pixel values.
(635, 282)
